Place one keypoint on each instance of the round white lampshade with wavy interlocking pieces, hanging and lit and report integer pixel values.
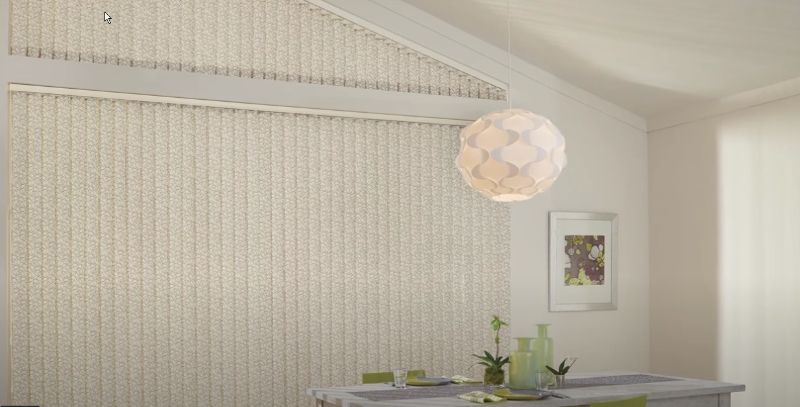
(511, 155)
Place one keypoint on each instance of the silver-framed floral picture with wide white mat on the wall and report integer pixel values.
(583, 271)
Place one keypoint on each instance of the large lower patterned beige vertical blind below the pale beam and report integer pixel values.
(175, 255)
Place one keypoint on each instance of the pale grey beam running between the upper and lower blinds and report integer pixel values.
(199, 86)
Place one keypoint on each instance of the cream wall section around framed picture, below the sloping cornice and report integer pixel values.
(607, 172)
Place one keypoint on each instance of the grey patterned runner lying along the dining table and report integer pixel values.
(453, 390)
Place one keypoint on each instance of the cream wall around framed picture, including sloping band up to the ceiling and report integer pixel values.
(607, 172)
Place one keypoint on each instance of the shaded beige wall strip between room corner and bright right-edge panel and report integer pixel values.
(683, 247)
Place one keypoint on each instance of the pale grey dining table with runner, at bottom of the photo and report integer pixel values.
(579, 390)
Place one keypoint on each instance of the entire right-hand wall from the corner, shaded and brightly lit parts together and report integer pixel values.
(724, 198)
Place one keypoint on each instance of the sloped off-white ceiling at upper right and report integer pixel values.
(649, 56)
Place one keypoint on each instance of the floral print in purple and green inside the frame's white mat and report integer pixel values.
(585, 264)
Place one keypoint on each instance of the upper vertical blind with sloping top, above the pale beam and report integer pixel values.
(286, 40)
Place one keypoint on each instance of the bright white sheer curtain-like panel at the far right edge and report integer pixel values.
(760, 253)
